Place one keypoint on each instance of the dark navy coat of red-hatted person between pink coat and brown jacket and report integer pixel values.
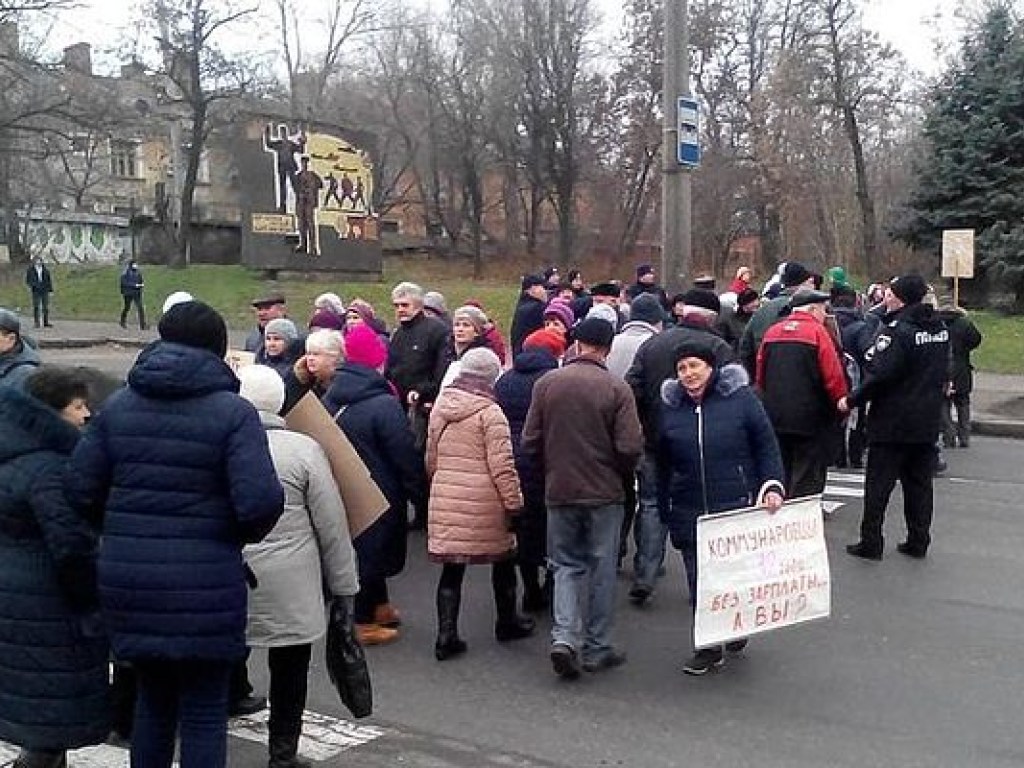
(515, 393)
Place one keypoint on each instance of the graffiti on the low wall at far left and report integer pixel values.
(77, 243)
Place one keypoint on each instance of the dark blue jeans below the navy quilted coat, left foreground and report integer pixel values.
(191, 696)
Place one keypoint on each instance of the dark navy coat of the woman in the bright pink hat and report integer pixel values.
(375, 423)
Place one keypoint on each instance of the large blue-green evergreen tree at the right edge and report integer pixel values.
(971, 174)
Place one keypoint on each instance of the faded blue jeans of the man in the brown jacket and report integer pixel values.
(583, 548)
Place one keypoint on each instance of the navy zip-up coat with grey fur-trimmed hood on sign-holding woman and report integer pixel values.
(713, 456)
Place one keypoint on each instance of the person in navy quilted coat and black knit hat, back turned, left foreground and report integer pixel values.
(179, 472)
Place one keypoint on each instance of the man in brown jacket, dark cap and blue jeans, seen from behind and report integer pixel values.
(583, 430)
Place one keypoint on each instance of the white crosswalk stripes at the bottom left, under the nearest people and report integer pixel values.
(323, 739)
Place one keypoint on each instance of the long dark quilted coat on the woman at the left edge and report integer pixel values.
(54, 677)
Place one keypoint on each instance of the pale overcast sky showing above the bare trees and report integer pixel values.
(912, 26)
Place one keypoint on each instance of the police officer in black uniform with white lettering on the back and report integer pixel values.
(907, 370)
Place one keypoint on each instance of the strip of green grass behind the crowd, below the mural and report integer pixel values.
(93, 292)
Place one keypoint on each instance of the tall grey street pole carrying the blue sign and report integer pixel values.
(676, 194)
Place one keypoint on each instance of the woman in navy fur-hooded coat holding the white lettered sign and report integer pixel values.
(717, 452)
